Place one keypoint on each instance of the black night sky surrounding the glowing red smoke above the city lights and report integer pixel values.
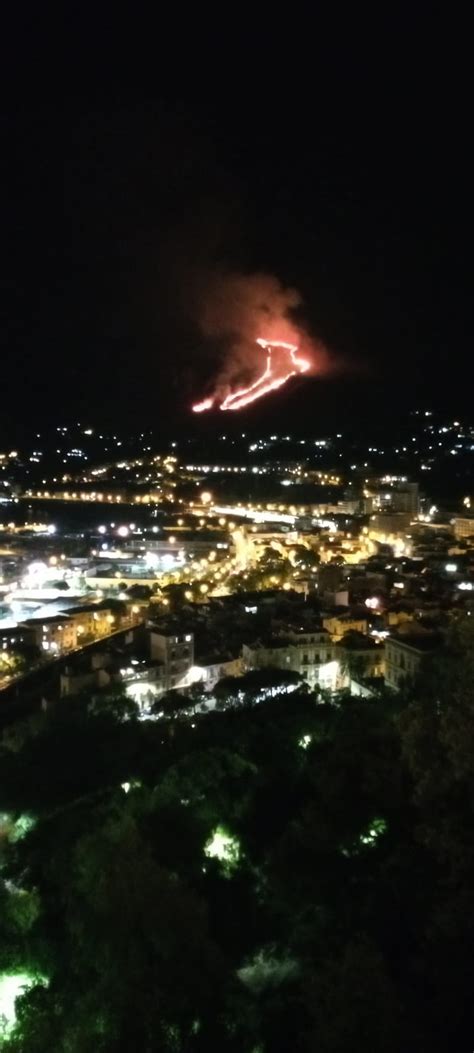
(342, 166)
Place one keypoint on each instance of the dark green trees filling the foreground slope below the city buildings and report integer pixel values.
(272, 878)
